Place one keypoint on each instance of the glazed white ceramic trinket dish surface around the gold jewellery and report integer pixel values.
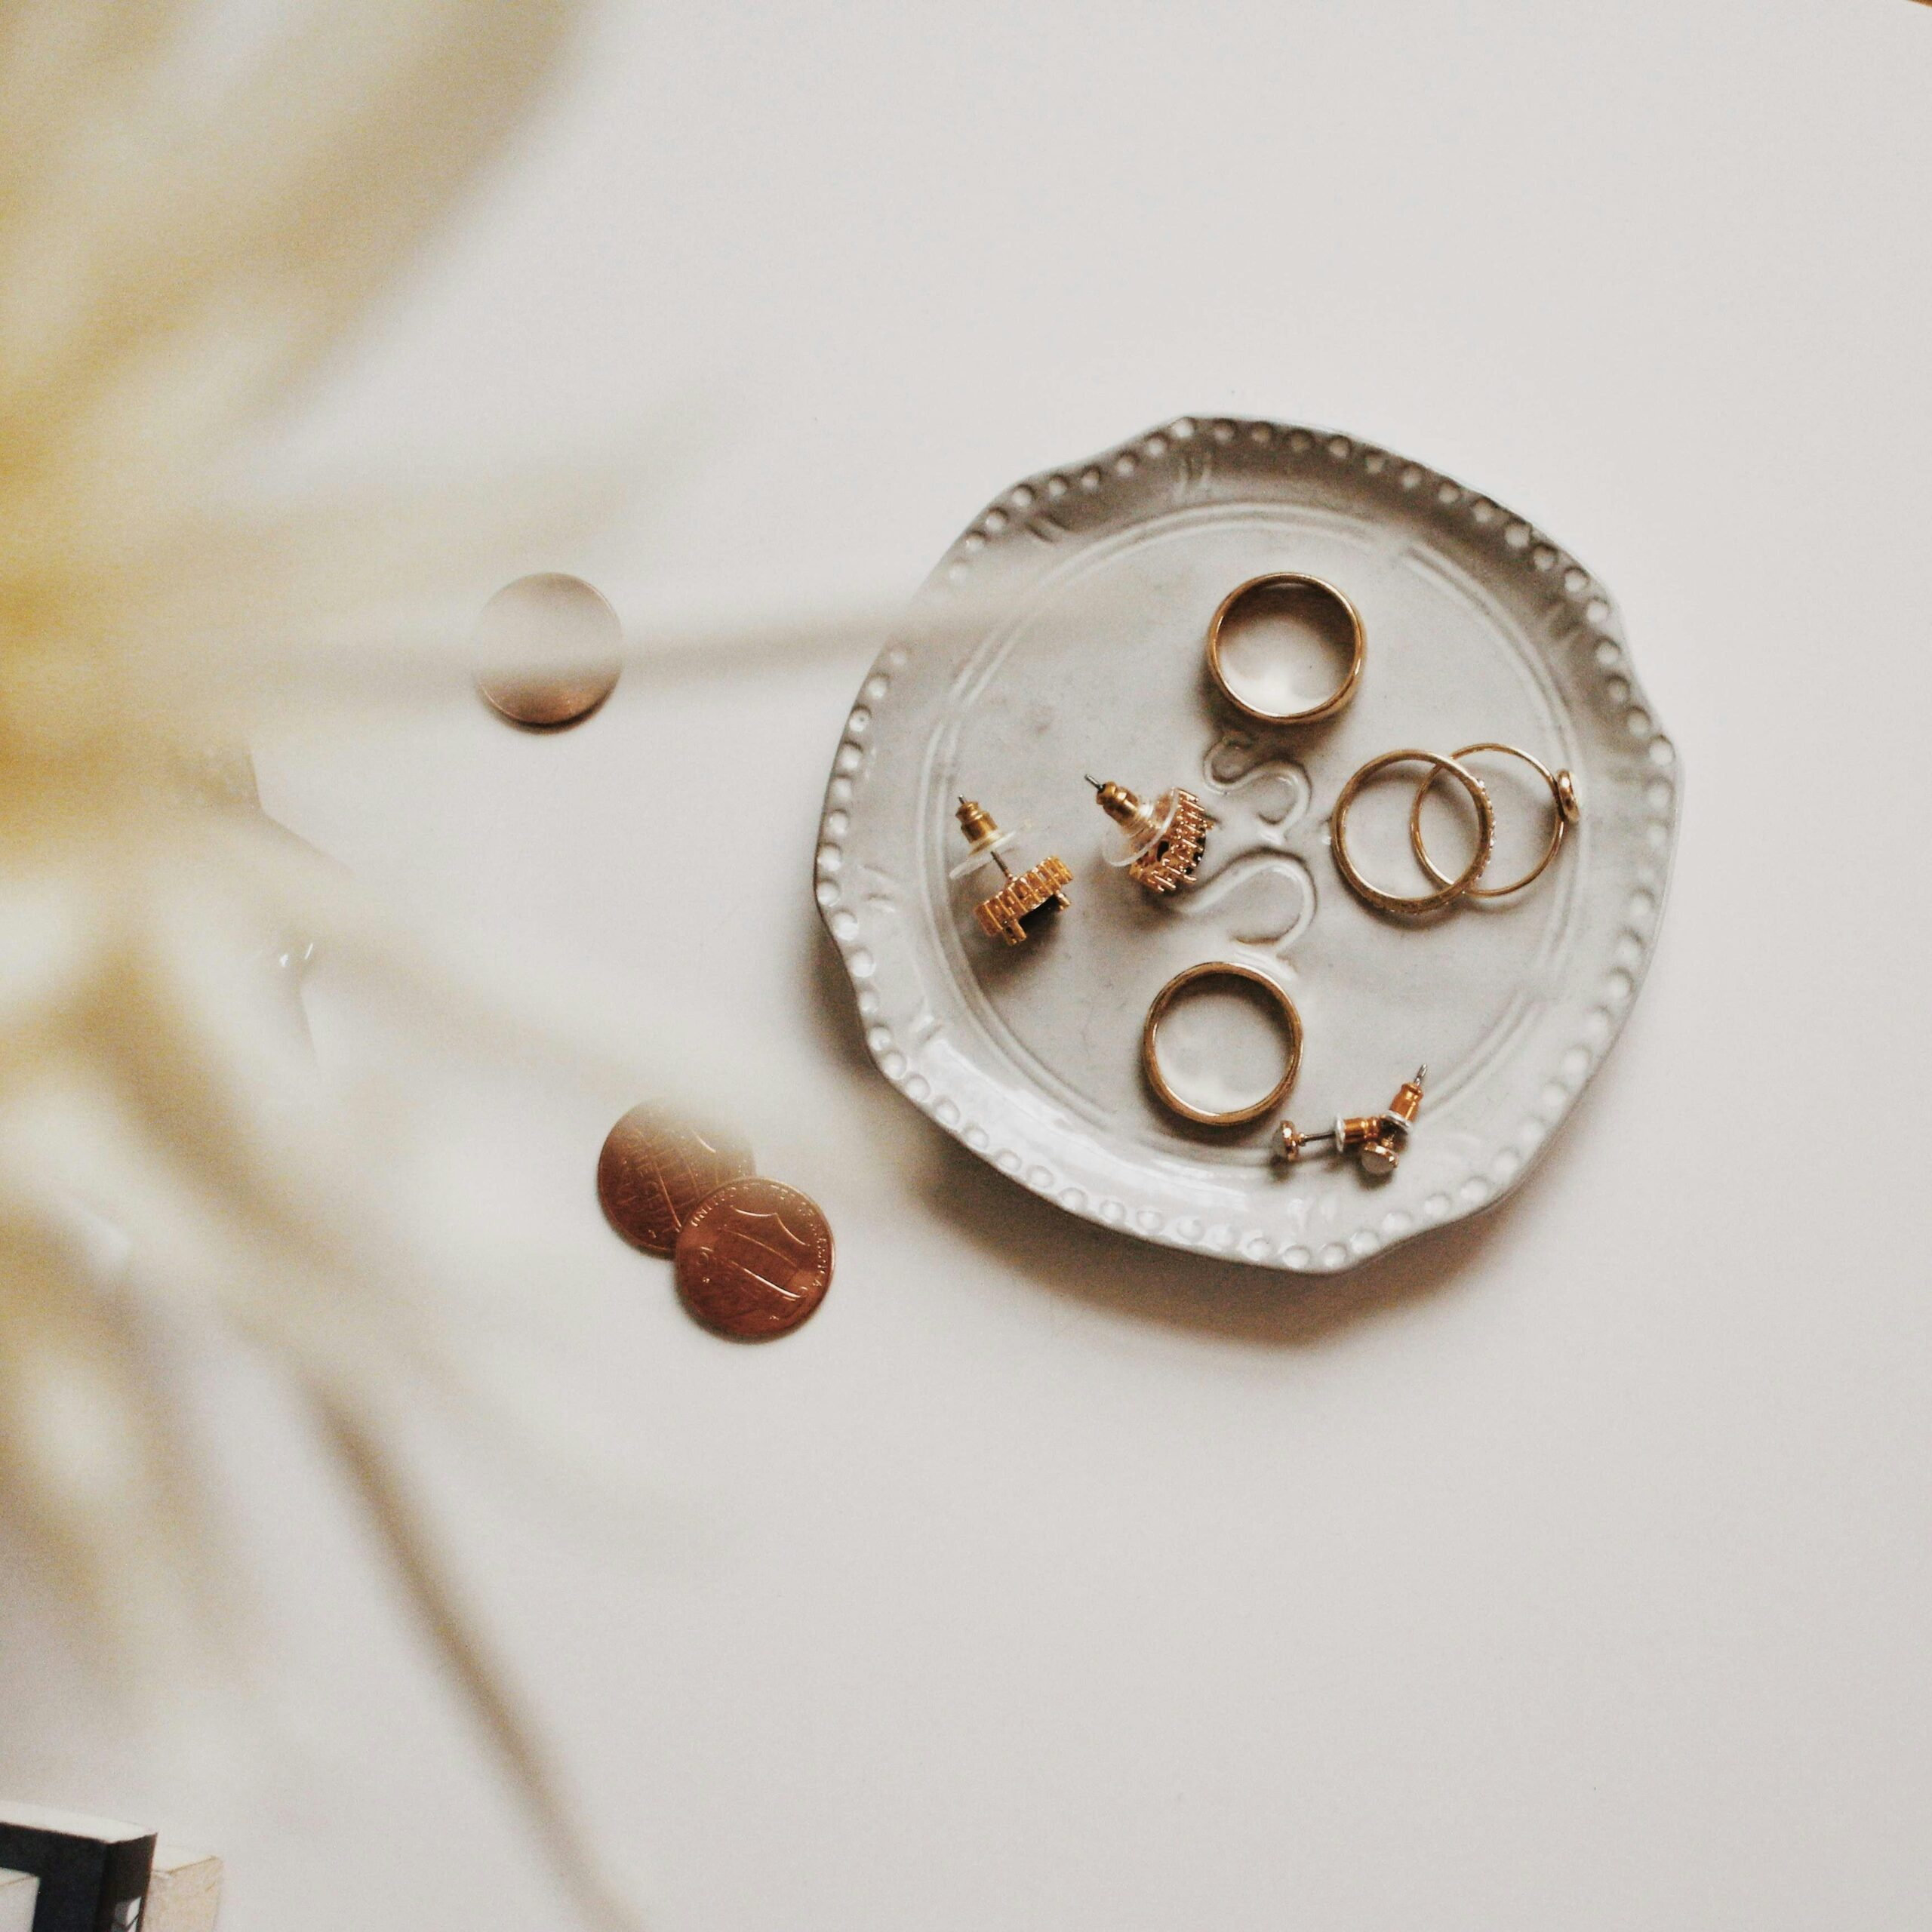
(1062, 637)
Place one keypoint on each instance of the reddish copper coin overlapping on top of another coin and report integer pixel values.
(754, 1261)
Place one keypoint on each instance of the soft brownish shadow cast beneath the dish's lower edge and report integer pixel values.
(1139, 1280)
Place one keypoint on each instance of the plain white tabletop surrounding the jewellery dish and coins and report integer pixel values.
(1564, 1572)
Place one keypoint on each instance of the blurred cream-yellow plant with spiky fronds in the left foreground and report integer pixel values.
(179, 252)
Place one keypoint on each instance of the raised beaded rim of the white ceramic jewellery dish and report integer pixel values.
(1025, 511)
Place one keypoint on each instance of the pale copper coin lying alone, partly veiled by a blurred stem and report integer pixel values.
(550, 650)
